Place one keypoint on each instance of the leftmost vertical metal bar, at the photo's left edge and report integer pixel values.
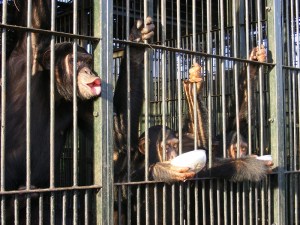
(3, 108)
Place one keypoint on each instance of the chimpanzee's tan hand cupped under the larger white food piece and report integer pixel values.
(164, 171)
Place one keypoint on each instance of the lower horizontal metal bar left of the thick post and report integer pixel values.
(59, 189)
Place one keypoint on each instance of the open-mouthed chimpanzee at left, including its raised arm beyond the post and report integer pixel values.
(88, 86)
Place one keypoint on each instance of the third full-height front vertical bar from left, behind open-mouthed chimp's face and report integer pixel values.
(52, 113)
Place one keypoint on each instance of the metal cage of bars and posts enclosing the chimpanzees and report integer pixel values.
(219, 35)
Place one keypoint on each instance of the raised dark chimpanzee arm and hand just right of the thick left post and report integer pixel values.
(139, 32)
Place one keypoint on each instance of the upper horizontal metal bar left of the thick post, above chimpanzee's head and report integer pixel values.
(55, 33)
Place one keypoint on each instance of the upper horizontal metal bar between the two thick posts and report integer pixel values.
(178, 50)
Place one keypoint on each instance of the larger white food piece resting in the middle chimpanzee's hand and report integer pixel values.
(195, 160)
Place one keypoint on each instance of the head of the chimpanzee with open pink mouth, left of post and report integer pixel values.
(88, 84)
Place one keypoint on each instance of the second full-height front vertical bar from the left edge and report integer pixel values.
(28, 116)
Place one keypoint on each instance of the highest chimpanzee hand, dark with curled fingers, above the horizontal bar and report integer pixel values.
(140, 31)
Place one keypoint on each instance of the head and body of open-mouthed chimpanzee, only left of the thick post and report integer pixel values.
(89, 87)
